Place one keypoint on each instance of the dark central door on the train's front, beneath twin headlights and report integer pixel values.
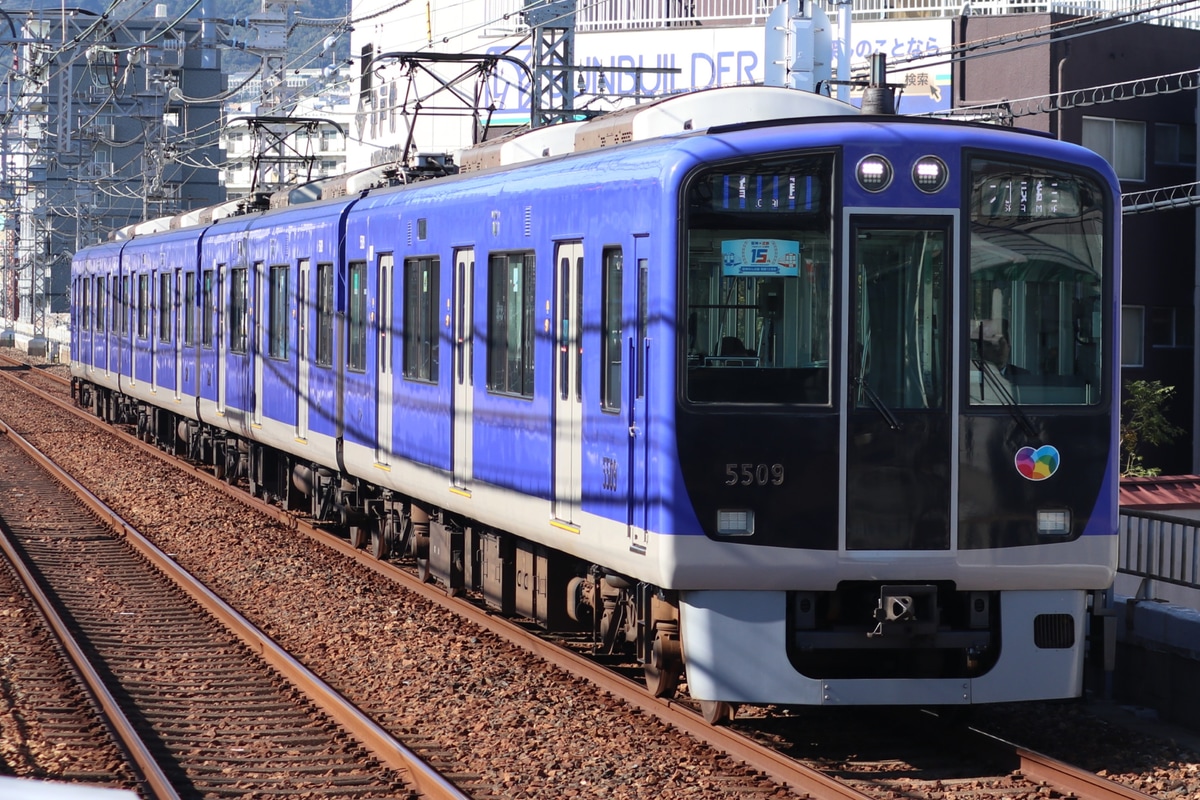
(899, 426)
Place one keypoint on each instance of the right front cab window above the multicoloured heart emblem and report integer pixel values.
(1036, 288)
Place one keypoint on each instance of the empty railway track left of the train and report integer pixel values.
(200, 713)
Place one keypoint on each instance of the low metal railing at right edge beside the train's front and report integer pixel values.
(1160, 548)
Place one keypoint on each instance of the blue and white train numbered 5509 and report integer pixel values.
(818, 408)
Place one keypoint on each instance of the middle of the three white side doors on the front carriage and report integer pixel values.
(464, 365)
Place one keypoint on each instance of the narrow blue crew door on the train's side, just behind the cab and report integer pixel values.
(639, 422)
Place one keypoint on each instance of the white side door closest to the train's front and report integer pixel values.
(568, 381)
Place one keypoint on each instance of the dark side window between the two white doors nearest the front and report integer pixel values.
(511, 350)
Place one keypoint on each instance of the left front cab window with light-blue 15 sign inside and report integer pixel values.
(759, 281)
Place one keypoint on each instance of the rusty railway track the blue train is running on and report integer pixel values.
(1017, 773)
